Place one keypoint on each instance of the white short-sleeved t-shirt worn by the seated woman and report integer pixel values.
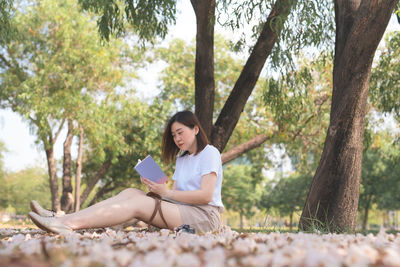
(190, 168)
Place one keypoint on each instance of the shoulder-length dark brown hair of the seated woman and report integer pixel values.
(187, 118)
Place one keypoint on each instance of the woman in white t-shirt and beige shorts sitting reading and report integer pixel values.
(195, 198)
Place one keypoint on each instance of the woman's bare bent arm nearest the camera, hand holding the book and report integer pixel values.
(200, 197)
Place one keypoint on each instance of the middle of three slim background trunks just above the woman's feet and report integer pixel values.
(66, 197)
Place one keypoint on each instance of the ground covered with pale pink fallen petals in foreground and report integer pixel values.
(107, 247)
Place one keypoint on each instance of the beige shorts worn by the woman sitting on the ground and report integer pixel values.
(203, 218)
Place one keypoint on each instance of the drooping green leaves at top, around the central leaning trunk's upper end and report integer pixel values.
(310, 24)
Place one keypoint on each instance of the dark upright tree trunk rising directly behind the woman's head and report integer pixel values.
(204, 67)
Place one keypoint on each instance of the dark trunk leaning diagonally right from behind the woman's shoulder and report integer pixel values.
(246, 82)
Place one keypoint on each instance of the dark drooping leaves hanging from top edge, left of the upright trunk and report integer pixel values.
(147, 18)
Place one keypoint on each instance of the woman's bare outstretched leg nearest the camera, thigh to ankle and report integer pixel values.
(130, 203)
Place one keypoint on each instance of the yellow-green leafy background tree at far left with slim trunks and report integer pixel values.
(56, 74)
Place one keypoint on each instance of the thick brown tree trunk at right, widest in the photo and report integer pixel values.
(333, 197)
